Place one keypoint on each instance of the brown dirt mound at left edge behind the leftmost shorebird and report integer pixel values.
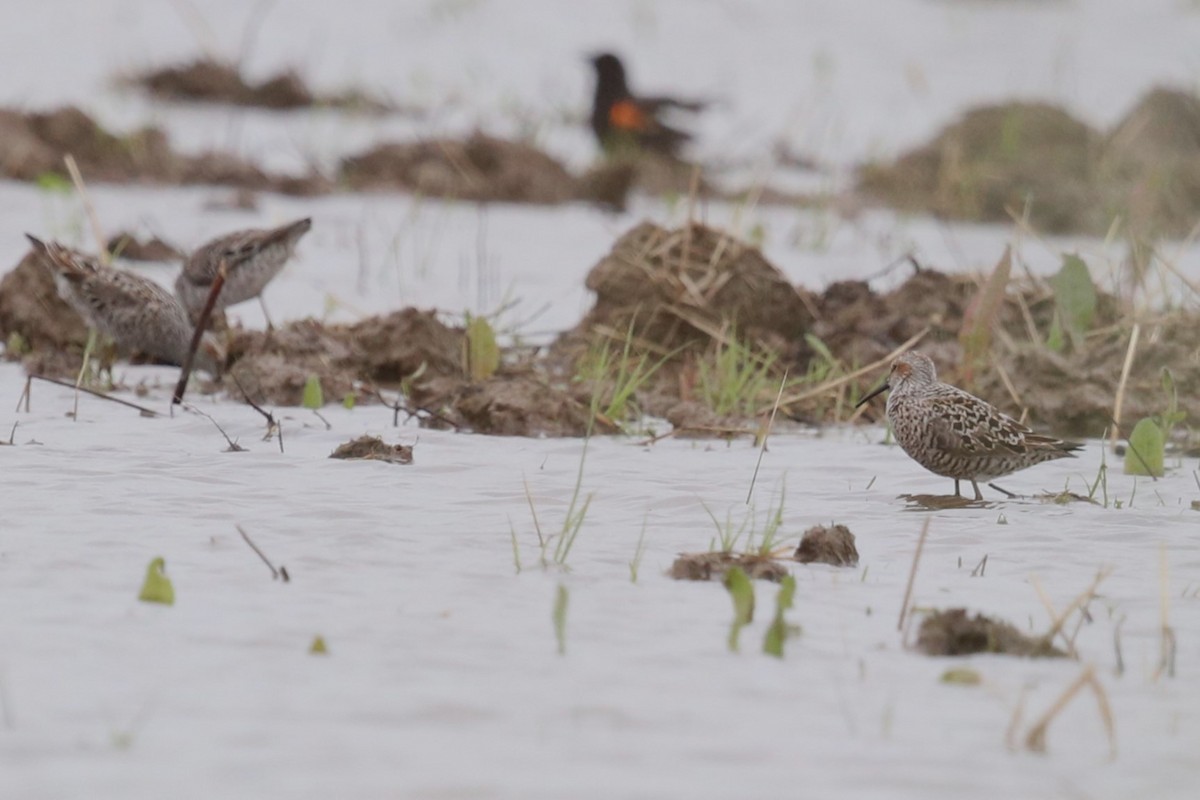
(32, 309)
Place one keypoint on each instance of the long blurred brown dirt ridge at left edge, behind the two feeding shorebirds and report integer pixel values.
(34, 145)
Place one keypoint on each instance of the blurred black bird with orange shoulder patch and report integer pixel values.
(625, 123)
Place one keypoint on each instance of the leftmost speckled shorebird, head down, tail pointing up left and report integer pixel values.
(135, 312)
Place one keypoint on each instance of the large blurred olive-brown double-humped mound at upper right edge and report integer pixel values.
(994, 161)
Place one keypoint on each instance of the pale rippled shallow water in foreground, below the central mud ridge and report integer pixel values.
(443, 655)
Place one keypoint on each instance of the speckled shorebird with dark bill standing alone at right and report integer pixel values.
(956, 435)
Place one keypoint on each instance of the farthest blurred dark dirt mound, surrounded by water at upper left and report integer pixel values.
(215, 82)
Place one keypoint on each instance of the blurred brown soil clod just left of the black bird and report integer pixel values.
(481, 169)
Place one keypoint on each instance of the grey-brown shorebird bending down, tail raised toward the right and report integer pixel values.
(253, 258)
